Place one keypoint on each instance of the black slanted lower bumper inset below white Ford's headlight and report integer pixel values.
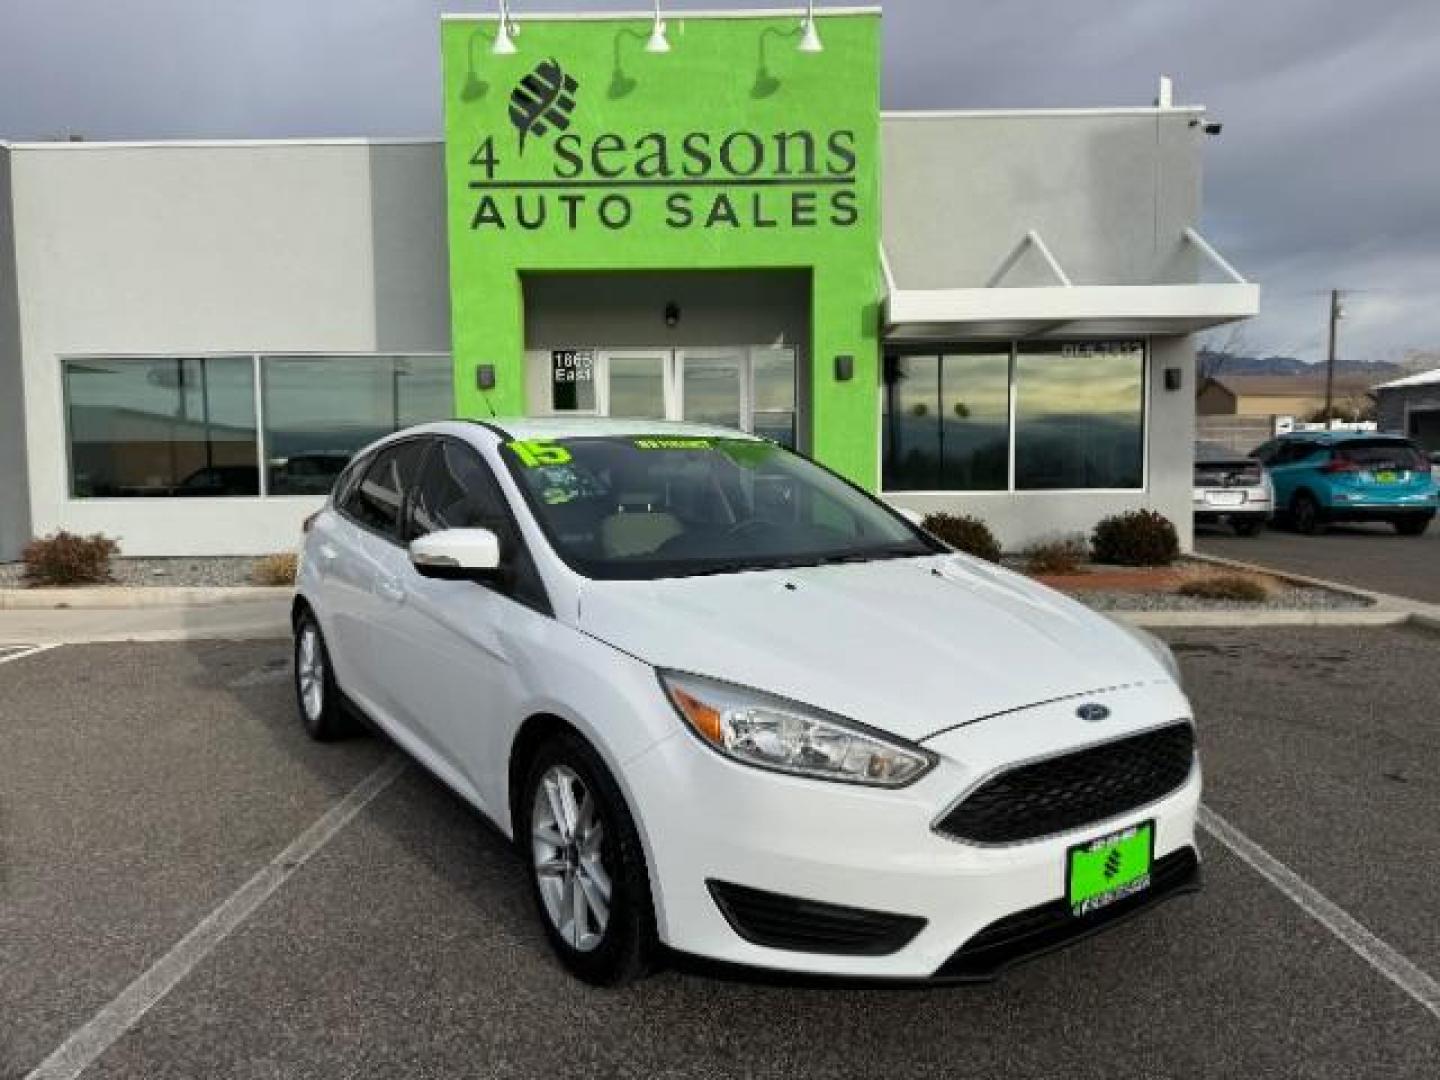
(788, 922)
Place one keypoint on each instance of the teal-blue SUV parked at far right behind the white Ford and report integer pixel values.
(1323, 477)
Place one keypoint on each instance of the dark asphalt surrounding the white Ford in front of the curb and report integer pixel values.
(143, 786)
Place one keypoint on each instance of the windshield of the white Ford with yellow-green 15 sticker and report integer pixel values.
(663, 506)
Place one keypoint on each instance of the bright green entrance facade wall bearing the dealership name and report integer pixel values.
(732, 152)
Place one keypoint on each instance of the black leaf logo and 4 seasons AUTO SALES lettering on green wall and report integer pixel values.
(696, 179)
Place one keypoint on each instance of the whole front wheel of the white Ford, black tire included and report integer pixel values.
(587, 865)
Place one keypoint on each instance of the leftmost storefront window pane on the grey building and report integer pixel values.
(162, 427)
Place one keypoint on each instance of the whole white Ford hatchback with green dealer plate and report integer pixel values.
(728, 703)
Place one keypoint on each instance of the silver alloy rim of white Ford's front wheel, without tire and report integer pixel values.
(568, 845)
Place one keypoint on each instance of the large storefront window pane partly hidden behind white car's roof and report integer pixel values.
(322, 410)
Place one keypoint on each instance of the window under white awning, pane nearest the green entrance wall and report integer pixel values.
(948, 421)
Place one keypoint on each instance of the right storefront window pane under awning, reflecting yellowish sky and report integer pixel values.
(1081, 415)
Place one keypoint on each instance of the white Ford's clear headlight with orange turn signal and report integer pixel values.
(773, 734)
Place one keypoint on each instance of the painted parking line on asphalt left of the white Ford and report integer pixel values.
(126, 1010)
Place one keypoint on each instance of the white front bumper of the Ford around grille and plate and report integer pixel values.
(711, 820)
